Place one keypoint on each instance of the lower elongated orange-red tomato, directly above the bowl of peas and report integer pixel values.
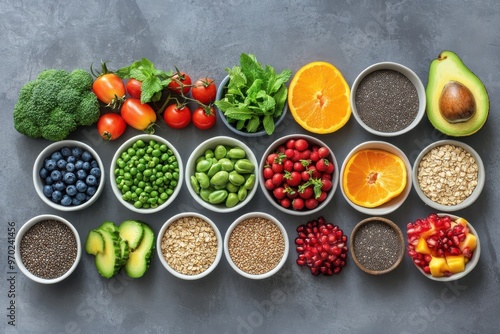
(139, 116)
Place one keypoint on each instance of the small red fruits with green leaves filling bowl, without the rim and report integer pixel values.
(298, 174)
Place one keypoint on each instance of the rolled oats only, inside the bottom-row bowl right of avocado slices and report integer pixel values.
(189, 245)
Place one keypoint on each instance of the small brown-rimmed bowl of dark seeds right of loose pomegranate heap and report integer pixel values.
(376, 246)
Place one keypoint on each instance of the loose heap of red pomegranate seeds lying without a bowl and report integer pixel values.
(321, 246)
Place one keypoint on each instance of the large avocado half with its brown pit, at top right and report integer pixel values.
(457, 101)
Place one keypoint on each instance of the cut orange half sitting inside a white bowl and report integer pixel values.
(373, 177)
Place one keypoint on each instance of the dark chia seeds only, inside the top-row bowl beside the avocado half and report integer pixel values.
(386, 101)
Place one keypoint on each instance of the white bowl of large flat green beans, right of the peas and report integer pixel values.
(221, 174)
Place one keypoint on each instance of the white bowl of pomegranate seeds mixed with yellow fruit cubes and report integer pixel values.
(443, 247)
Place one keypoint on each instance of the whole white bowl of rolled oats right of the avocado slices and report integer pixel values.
(189, 245)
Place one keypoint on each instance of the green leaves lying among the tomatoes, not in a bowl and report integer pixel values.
(153, 81)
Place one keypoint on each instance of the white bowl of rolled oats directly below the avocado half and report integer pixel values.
(448, 175)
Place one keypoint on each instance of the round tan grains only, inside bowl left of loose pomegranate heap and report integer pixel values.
(256, 245)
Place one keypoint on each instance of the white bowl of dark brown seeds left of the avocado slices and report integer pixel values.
(48, 249)
